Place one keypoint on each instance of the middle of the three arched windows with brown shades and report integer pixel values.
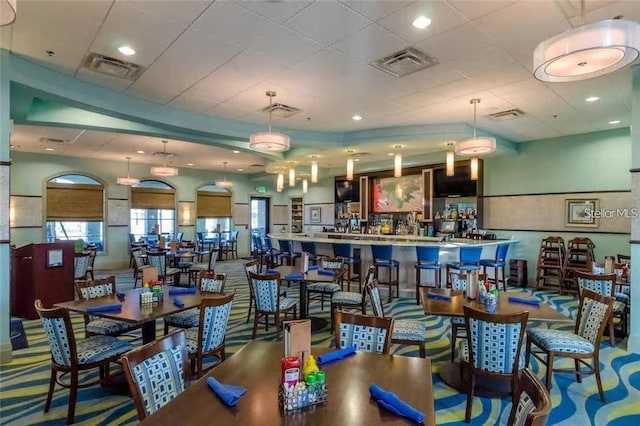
(153, 210)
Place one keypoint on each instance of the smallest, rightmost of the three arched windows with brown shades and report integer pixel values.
(213, 209)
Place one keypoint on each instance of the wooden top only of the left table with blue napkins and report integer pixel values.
(132, 310)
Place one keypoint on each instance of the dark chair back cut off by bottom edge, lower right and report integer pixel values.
(531, 401)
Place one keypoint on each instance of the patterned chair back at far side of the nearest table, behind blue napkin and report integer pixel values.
(366, 333)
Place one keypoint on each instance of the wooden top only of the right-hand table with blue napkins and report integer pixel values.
(453, 308)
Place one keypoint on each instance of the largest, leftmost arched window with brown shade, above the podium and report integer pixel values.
(75, 209)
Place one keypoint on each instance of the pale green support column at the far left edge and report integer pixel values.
(5, 191)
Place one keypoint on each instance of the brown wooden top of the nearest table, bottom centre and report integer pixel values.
(256, 366)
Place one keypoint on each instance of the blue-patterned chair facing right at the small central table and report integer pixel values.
(266, 290)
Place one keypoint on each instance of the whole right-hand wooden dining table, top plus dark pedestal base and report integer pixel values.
(450, 303)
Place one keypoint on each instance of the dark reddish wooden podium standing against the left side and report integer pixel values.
(41, 271)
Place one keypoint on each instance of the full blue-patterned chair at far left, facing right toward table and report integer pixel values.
(71, 357)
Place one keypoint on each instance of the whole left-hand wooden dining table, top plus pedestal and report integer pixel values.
(133, 311)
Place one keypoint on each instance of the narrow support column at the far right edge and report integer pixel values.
(633, 343)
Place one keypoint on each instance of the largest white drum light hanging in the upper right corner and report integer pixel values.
(587, 51)
